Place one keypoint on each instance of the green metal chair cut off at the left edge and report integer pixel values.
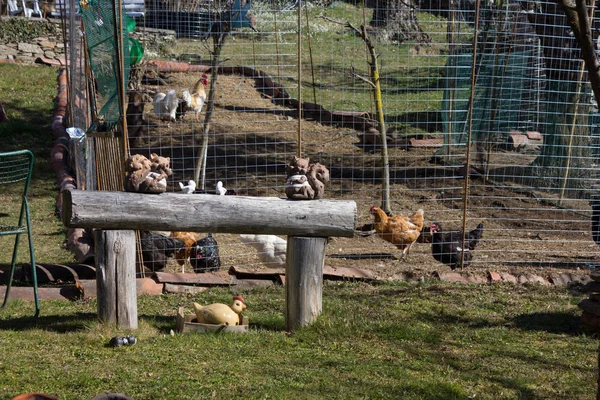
(15, 170)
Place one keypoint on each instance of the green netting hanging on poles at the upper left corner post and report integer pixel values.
(100, 34)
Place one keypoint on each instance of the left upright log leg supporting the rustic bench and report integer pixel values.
(115, 277)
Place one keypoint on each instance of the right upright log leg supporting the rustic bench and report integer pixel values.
(304, 280)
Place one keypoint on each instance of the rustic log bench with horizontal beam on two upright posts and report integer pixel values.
(116, 216)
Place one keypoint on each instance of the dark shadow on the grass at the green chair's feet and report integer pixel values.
(53, 323)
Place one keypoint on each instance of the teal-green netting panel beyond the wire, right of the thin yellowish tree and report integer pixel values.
(503, 100)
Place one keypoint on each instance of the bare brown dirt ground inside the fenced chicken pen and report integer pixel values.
(252, 140)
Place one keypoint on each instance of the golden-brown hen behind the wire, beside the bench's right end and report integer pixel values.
(400, 230)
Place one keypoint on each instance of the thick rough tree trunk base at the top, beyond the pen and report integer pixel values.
(396, 20)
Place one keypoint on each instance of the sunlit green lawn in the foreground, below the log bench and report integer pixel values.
(383, 341)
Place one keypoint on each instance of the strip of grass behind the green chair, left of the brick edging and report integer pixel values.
(27, 93)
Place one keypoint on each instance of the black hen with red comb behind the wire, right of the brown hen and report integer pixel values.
(446, 247)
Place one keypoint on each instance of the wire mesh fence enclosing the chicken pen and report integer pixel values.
(535, 126)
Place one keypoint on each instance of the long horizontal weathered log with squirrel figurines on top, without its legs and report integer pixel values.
(203, 213)
